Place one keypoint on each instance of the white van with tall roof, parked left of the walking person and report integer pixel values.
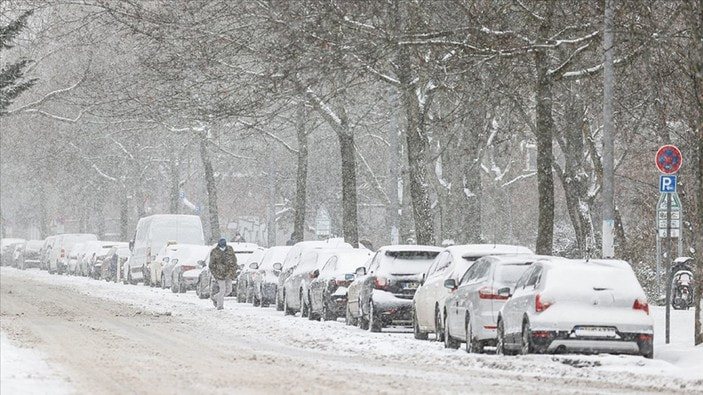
(154, 232)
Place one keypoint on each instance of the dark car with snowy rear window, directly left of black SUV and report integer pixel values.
(328, 289)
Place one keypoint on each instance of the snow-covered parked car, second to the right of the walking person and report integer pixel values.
(265, 279)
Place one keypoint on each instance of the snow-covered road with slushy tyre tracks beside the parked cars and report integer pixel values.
(97, 337)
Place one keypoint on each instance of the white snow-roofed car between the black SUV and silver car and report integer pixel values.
(452, 263)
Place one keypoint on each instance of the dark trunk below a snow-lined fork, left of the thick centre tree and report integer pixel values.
(349, 201)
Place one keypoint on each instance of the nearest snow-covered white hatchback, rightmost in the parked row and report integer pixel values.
(576, 306)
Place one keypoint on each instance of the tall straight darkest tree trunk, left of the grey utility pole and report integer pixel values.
(545, 157)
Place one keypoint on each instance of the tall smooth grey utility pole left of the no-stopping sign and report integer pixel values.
(608, 134)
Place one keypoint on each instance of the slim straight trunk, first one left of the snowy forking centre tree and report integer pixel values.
(302, 176)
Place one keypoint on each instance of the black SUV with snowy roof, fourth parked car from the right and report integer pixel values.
(382, 294)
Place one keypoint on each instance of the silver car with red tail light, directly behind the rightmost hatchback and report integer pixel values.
(471, 309)
